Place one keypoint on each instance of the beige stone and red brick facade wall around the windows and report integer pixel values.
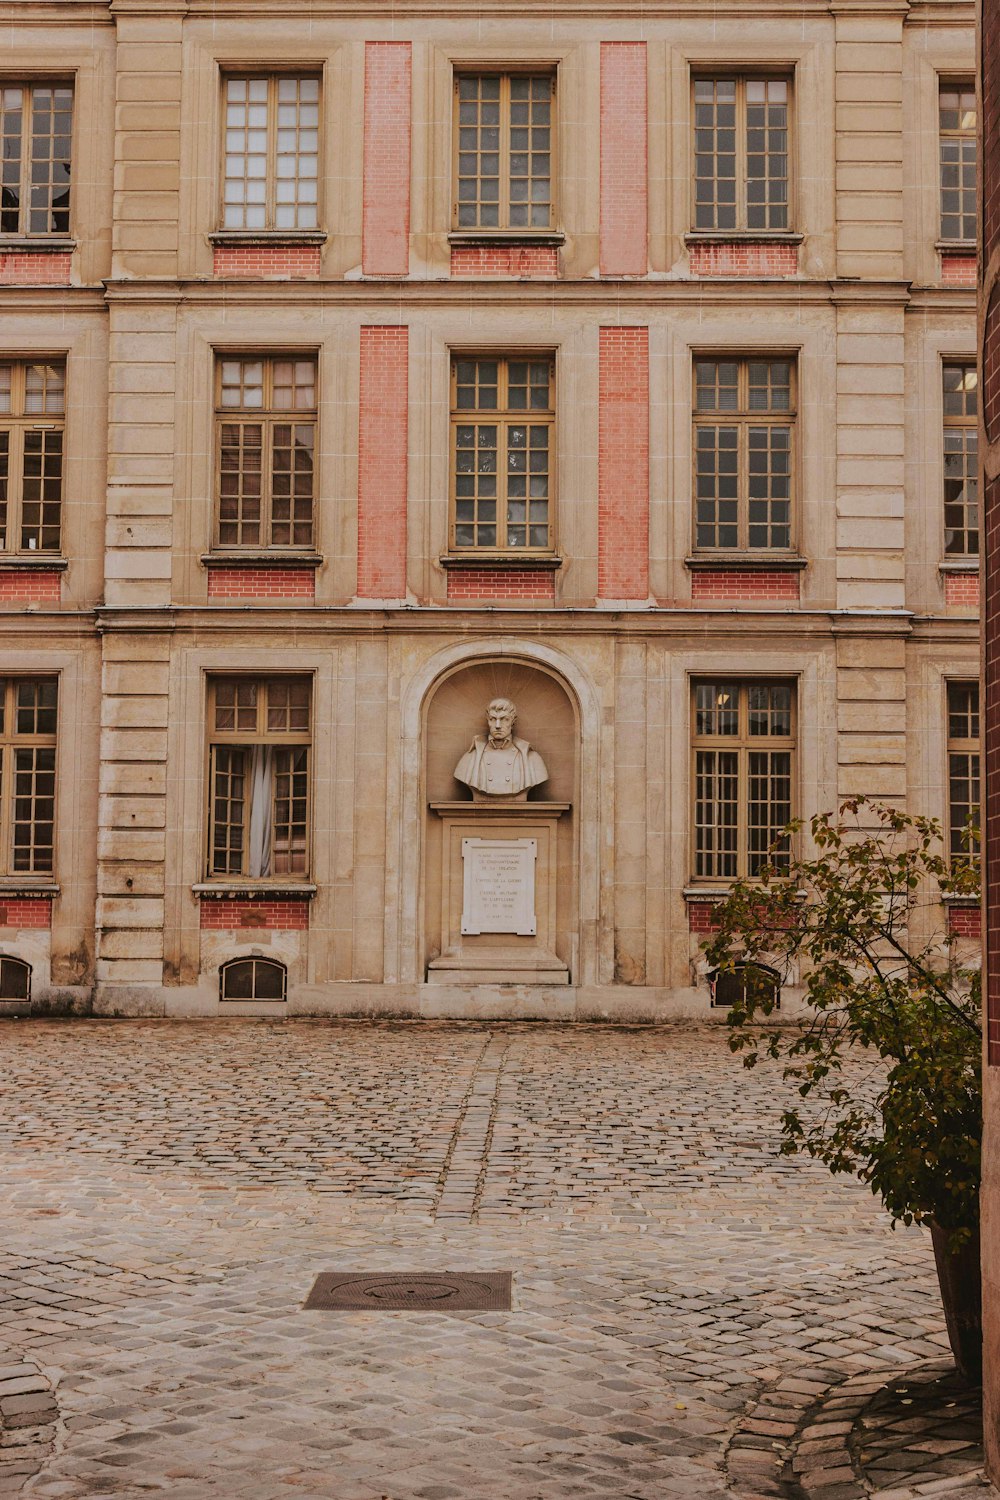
(603, 638)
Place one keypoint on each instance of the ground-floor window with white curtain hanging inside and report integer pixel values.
(259, 773)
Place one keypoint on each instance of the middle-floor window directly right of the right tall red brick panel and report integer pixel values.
(744, 419)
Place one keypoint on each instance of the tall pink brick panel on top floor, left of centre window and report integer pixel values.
(386, 214)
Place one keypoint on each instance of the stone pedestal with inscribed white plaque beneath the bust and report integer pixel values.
(499, 893)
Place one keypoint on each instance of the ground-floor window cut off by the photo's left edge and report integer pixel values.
(28, 775)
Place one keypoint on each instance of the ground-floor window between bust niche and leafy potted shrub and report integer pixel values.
(743, 778)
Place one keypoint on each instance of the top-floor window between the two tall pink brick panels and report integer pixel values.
(504, 152)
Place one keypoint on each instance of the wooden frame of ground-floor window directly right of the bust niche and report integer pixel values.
(743, 743)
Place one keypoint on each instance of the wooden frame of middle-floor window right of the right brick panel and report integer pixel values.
(743, 419)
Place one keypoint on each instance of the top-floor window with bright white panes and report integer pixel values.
(272, 154)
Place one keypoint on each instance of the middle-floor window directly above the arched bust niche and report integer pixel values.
(503, 418)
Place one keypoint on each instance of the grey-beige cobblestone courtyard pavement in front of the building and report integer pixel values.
(689, 1309)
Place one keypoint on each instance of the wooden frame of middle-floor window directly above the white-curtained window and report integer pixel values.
(268, 418)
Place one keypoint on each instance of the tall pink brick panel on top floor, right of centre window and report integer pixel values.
(623, 160)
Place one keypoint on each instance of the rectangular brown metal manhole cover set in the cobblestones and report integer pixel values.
(412, 1291)
